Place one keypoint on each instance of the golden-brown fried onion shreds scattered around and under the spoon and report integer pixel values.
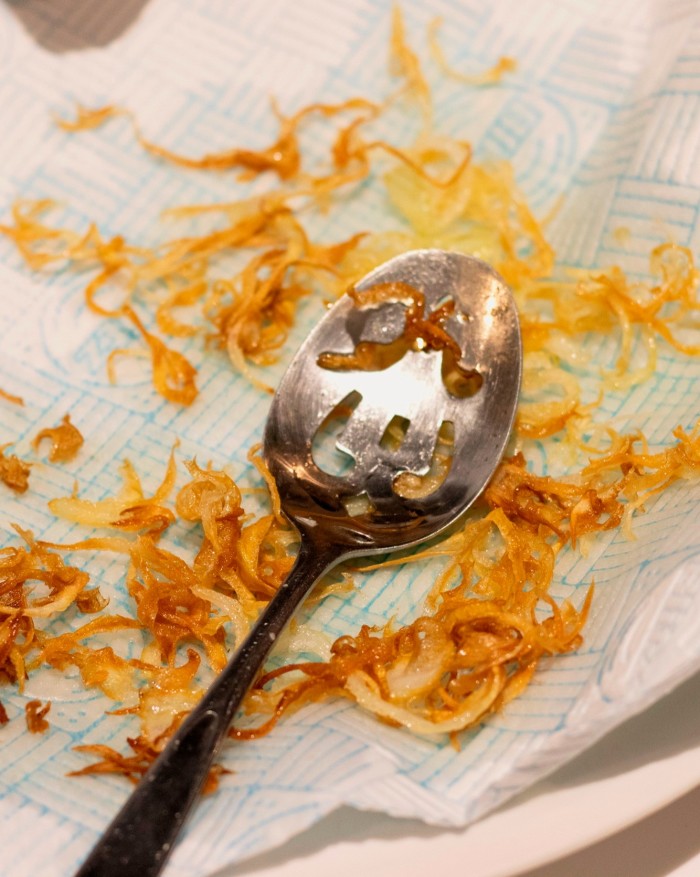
(489, 618)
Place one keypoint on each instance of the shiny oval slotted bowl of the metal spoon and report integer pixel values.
(485, 327)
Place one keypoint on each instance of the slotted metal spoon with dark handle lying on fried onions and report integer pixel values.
(353, 513)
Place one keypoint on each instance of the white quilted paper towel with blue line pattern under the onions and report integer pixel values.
(602, 109)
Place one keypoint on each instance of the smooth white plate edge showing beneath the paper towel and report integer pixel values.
(648, 762)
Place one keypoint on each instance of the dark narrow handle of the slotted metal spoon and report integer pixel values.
(141, 836)
